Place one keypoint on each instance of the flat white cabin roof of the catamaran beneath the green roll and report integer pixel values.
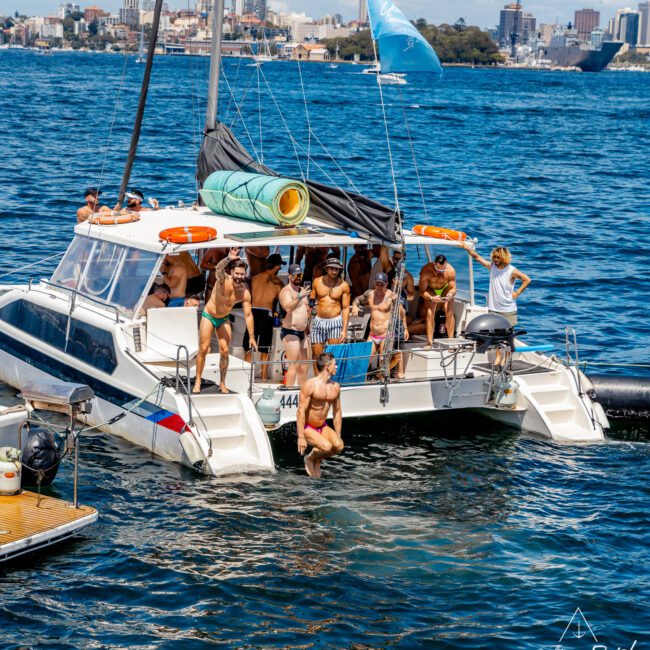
(145, 233)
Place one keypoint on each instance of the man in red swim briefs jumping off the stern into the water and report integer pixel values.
(317, 395)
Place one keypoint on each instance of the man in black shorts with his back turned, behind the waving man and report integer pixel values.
(265, 289)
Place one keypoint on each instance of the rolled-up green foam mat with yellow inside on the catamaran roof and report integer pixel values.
(257, 197)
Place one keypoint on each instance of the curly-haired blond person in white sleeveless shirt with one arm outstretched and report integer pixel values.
(502, 295)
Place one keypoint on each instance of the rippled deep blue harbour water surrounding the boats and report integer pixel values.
(444, 532)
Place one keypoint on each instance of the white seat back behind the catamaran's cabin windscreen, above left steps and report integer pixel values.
(167, 328)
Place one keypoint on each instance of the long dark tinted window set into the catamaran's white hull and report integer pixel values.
(87, 343)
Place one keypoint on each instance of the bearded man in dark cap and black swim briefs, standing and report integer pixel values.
(294, 300)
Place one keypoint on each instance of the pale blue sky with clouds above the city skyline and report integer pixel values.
(484, 13)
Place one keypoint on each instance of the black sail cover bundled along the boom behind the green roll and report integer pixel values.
(345, 210)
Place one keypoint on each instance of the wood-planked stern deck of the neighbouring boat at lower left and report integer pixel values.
(26, 525)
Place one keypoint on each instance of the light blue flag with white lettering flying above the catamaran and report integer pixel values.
(401, 46)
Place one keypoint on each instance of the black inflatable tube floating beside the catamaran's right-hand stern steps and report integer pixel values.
(623, 396)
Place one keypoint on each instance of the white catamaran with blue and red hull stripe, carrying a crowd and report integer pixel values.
(86, 324)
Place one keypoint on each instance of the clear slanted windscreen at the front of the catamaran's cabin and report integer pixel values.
(112, 273)
